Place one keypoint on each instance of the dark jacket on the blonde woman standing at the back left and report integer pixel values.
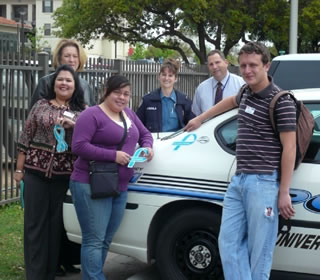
(44, 85)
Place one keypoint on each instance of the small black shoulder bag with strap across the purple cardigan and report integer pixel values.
(104, 177)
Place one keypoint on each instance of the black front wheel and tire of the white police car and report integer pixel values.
(187, 247)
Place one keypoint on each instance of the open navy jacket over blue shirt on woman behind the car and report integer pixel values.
(150, 110)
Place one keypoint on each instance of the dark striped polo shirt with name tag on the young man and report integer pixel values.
(258, 146)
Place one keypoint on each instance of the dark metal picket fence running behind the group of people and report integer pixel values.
(19, 75)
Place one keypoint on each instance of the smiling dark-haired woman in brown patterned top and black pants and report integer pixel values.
(45, 165)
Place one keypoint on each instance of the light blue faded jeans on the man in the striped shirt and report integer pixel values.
(249, 226)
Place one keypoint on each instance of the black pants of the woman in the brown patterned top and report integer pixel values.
(42, 224)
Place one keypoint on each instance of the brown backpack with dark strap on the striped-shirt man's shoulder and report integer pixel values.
(305, 125)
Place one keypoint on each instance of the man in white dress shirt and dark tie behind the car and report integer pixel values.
(224, 83)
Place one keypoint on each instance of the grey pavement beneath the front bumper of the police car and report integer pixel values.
(119, 267)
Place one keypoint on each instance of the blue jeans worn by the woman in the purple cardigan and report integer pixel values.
(99, 220)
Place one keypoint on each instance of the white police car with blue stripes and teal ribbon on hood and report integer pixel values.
(175, 202)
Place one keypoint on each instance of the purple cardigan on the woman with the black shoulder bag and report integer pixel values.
(96, 137)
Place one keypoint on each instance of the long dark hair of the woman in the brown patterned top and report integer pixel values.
(76, 102)
